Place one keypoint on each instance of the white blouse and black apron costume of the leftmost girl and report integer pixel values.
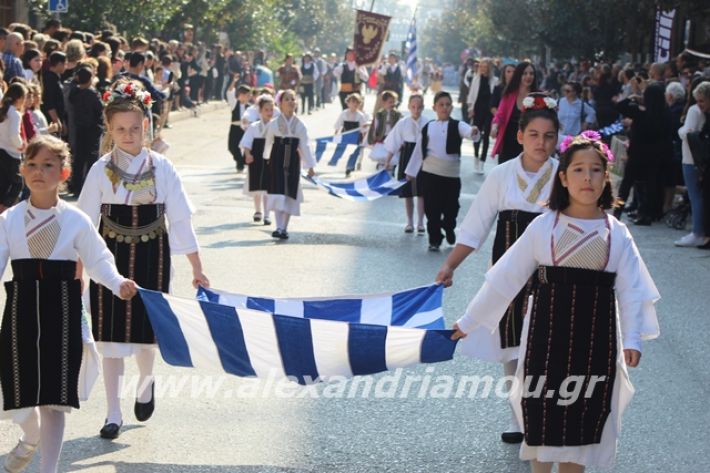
(47, 355)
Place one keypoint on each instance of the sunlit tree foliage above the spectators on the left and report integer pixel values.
(279, 26)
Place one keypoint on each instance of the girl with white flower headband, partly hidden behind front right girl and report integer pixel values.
(514, 193)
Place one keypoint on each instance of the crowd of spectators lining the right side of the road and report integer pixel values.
(658, 104)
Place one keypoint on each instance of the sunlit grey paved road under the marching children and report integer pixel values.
(339, 247)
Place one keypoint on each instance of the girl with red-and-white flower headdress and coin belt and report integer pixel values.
(137, 200)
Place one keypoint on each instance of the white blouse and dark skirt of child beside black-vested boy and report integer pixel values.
(400, 143)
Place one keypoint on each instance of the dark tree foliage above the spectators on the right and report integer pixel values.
(582, 28)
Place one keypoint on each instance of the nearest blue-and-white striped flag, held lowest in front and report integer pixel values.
(251, 343)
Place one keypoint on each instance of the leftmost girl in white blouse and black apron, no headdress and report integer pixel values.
(47, 358)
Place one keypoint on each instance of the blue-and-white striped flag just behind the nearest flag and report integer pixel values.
(419, 307)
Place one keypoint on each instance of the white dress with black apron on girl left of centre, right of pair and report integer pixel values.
(287, 150)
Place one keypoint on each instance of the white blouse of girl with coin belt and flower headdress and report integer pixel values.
(99, 190)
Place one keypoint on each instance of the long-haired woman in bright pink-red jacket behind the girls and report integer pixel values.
(505, 122)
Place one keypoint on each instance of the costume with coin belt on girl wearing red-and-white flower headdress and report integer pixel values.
(145, 217)
